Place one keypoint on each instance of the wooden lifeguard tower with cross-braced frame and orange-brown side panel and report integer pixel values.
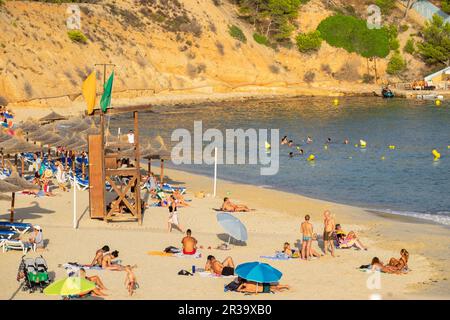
(103, 170)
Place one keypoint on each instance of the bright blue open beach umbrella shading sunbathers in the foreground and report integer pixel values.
(258, 272)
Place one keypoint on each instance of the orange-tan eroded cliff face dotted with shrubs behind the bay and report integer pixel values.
(157, 46)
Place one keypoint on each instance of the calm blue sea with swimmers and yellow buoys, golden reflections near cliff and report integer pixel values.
(408, 181)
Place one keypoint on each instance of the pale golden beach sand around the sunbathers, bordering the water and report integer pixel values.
(277, 219)
